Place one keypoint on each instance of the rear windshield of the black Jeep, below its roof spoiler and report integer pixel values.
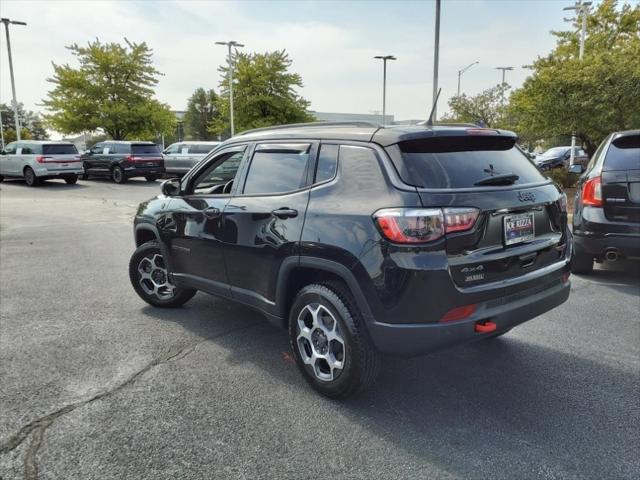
(460, 162)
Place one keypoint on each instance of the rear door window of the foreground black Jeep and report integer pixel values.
(277, 169)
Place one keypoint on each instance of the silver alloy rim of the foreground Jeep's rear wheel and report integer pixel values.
(320, 342)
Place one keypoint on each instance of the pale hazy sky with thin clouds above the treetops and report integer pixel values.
(331, 44)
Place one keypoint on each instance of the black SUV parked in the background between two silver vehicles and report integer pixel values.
(121, 160)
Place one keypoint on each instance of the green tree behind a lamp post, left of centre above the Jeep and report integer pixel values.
(264, 93)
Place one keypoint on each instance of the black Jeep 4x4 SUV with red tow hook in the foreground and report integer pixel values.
(361, 240)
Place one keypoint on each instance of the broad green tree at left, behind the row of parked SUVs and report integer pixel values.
(111, 91)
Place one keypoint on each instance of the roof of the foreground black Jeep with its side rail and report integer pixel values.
(362, 131)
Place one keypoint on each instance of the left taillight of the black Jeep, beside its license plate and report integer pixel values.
(421, 225)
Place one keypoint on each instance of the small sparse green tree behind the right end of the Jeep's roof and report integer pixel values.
(485, 109)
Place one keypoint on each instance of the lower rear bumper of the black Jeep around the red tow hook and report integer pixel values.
(505, 312)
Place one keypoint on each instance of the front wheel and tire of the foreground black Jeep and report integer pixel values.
(149, 278)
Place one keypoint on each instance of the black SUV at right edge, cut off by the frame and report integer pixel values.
(606, 221)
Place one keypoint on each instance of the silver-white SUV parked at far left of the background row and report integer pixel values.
(37, 160)
